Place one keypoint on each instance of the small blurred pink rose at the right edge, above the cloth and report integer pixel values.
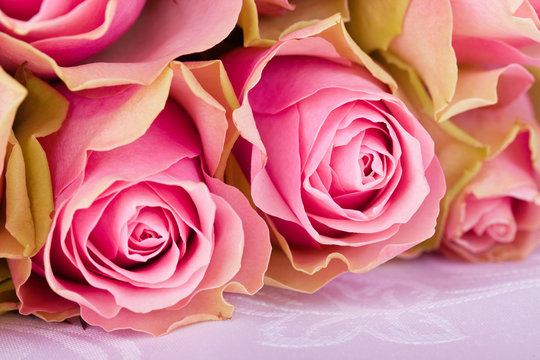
(496, 217)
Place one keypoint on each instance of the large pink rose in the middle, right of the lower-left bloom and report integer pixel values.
(346, 175)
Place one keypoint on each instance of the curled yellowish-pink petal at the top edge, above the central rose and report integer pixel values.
(265, 30)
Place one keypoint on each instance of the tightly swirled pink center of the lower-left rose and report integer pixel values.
(132, 235)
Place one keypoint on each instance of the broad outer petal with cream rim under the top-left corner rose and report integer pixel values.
(124, 62)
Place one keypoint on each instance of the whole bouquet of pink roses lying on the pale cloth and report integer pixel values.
(157, 154)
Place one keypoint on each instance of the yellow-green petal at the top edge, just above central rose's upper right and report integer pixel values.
(374, 24)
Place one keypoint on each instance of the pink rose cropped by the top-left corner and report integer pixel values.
(96, 43)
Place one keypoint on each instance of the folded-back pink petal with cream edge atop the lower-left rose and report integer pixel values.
(102, 124)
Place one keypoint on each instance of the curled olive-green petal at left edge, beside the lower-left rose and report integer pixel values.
(29, 197)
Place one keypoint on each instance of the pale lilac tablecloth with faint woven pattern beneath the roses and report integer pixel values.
(427, 308)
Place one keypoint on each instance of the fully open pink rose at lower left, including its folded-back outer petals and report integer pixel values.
(142, 235)
